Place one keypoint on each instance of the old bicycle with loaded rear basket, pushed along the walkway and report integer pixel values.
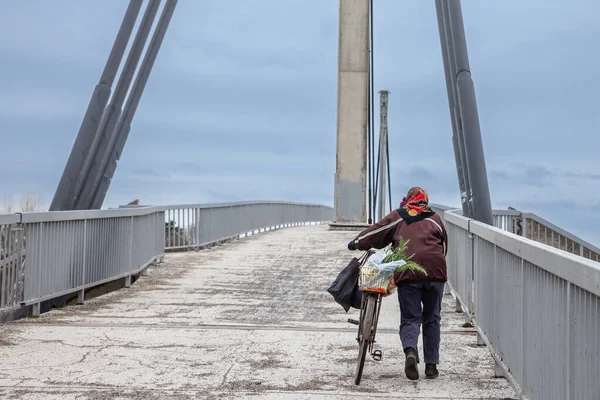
(367, 323)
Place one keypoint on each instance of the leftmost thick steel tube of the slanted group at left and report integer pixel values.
(64, 198)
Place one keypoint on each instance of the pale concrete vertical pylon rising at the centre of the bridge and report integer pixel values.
(352, 115)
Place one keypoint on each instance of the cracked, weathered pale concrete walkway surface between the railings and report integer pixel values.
(249, 319)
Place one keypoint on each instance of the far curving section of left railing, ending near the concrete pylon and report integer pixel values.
(198, 225)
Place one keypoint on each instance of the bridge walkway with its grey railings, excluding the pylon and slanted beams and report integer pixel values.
(251, 318)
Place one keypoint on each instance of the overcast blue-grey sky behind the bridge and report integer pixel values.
(241, 102)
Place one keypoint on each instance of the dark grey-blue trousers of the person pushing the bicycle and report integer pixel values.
(421, 303)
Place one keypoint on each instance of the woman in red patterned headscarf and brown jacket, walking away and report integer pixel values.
(420, 296)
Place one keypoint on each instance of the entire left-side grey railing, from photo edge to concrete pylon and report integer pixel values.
(47, 255)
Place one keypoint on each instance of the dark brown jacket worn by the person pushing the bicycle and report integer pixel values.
(428, 241)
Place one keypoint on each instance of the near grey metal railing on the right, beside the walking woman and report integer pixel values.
(537, 308)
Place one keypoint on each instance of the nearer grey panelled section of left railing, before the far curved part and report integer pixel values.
(71, 251)
